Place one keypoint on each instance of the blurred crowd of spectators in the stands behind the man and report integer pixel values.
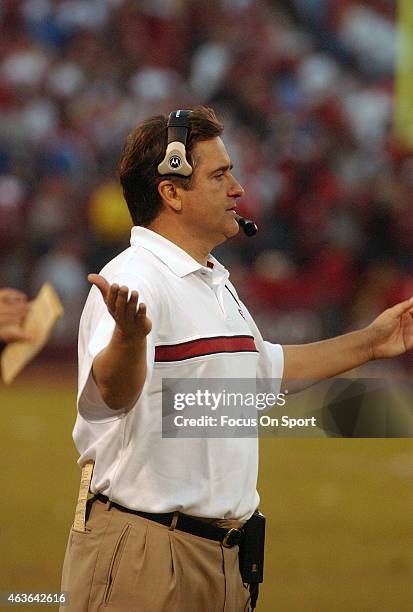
(305, 90)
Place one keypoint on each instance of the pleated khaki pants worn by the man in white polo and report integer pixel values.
(125, 563)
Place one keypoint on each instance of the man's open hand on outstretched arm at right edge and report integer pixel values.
(391, 334)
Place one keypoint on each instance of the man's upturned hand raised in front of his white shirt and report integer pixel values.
(131, 321)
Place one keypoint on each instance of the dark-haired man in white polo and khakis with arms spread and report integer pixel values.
(153, 539)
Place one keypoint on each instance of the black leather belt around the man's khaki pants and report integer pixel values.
(228, 537)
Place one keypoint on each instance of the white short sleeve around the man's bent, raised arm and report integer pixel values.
(95, 331)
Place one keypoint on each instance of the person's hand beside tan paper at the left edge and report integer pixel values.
(13, 309)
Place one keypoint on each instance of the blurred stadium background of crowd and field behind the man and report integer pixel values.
(306, 91)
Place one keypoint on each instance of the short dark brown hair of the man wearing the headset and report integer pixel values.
(145, 148)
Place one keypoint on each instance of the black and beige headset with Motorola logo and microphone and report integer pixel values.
(175, 161)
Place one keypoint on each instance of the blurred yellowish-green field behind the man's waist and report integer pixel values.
(340, 512)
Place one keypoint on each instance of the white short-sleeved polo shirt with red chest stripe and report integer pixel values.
(199, 331)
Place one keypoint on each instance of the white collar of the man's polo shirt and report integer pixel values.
(178, 260)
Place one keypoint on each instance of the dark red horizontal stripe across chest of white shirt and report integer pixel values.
(205, 346)
